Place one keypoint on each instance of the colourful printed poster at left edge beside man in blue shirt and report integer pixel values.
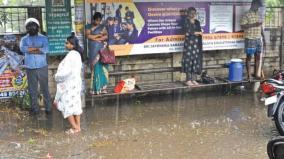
(11, 85)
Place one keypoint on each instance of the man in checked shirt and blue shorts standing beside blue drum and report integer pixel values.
(254, 37)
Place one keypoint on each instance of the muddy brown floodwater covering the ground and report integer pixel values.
(211, 125)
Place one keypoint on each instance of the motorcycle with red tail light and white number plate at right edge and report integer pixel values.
(273, 89)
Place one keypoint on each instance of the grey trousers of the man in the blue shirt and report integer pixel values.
(40, 76)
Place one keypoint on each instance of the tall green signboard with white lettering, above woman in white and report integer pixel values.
(58, 19)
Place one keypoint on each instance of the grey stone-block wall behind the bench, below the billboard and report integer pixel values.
(271, 61)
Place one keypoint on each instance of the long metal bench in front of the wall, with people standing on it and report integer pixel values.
(161, 86)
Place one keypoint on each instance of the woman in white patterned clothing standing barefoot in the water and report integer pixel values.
(69, 85)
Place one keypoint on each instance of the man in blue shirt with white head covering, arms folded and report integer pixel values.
(35, 47)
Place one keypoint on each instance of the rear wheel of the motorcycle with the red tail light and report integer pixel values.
(279, 119)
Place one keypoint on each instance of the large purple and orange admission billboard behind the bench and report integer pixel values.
(159, 23)
